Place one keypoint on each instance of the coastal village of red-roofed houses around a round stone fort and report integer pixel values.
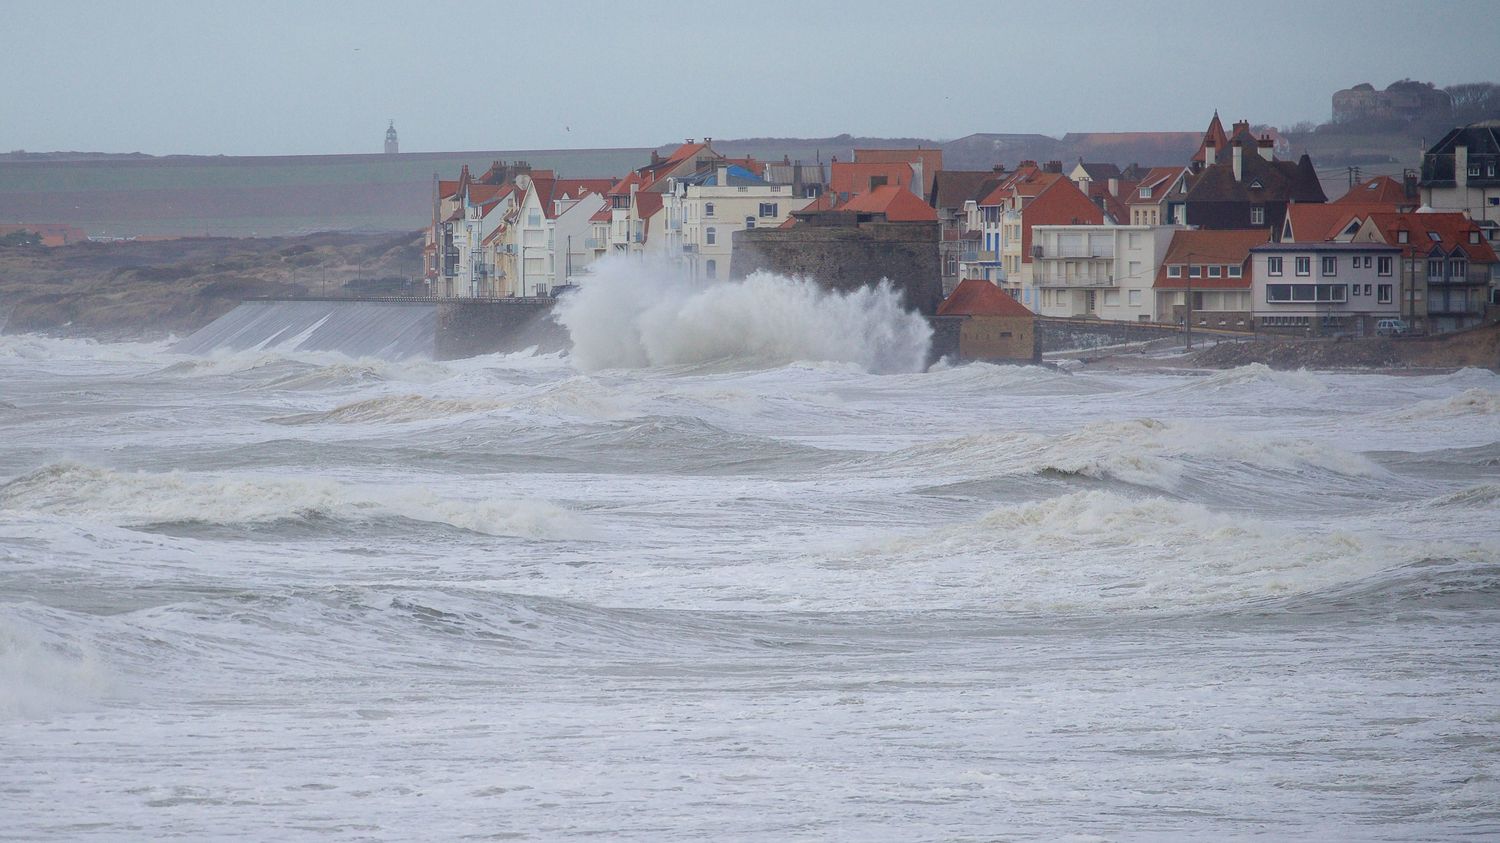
(1235, 239)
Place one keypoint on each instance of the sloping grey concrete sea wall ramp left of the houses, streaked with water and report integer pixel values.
(389, 331)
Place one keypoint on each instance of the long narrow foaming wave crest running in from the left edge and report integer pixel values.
(142, 499)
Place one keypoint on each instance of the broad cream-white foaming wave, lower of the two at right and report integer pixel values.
(1099, 551)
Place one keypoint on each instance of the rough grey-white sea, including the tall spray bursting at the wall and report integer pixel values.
(739, 569)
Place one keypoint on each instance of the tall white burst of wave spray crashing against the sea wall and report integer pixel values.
(635, 314)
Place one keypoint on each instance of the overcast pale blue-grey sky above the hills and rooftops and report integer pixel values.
(311, 77)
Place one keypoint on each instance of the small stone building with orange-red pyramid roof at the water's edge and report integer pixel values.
(982, 322)
